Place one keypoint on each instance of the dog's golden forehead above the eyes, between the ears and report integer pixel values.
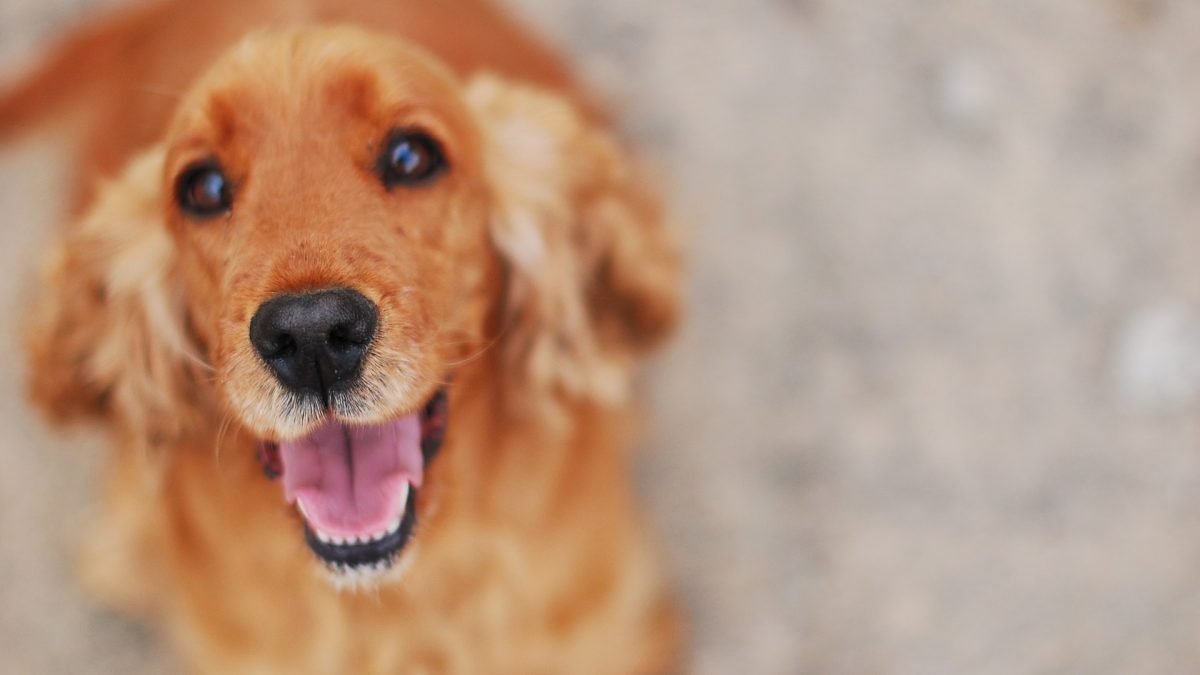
(310, 79)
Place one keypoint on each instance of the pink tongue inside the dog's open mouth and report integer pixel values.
(351, 479)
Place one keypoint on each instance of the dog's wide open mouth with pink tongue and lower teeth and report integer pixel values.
(356, 487)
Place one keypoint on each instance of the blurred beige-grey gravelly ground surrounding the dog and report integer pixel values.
(935, 410)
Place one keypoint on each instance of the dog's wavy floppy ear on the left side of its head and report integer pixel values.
(107, 336)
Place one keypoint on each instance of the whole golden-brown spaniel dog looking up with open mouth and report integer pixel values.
(358, 291)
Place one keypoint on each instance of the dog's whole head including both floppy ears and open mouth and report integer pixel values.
(333, 225)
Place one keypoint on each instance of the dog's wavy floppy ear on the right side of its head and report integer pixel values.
(591, 266)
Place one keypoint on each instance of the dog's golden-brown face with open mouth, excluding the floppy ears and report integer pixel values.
(328, 206)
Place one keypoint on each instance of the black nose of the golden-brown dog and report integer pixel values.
(315, 343)
